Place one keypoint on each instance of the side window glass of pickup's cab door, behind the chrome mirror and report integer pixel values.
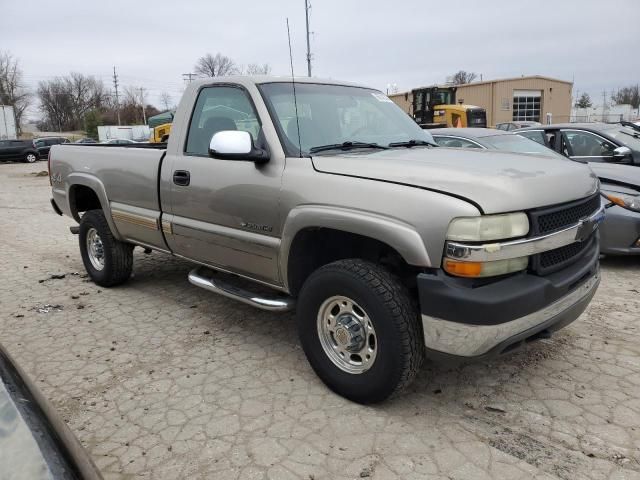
(218, 109)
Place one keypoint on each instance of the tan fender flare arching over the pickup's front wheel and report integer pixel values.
(395, 233)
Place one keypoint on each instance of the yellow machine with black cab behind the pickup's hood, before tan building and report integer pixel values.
(436, 107)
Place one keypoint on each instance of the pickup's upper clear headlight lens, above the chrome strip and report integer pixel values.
(488, 227)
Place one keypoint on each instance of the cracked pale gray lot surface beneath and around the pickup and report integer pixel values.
(160, 379)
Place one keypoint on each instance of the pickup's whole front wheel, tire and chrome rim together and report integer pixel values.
(359, 330)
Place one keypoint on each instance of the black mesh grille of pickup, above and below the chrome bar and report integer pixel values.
(552, 219)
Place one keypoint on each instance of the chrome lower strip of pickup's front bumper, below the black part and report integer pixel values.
(466, 340)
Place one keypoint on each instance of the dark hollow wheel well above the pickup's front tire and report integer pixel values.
(313, 247)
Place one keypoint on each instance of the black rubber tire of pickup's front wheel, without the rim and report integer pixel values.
(400, 348)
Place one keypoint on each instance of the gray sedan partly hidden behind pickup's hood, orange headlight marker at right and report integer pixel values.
(620, 184)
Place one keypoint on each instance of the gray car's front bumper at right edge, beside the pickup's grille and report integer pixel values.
(620, 232)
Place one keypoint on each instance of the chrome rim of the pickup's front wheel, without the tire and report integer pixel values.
(347, 335)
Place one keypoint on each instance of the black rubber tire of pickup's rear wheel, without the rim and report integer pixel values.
(118, 256)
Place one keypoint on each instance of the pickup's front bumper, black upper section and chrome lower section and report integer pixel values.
(466, 321)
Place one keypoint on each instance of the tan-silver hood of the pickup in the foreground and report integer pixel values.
(494, 181)
